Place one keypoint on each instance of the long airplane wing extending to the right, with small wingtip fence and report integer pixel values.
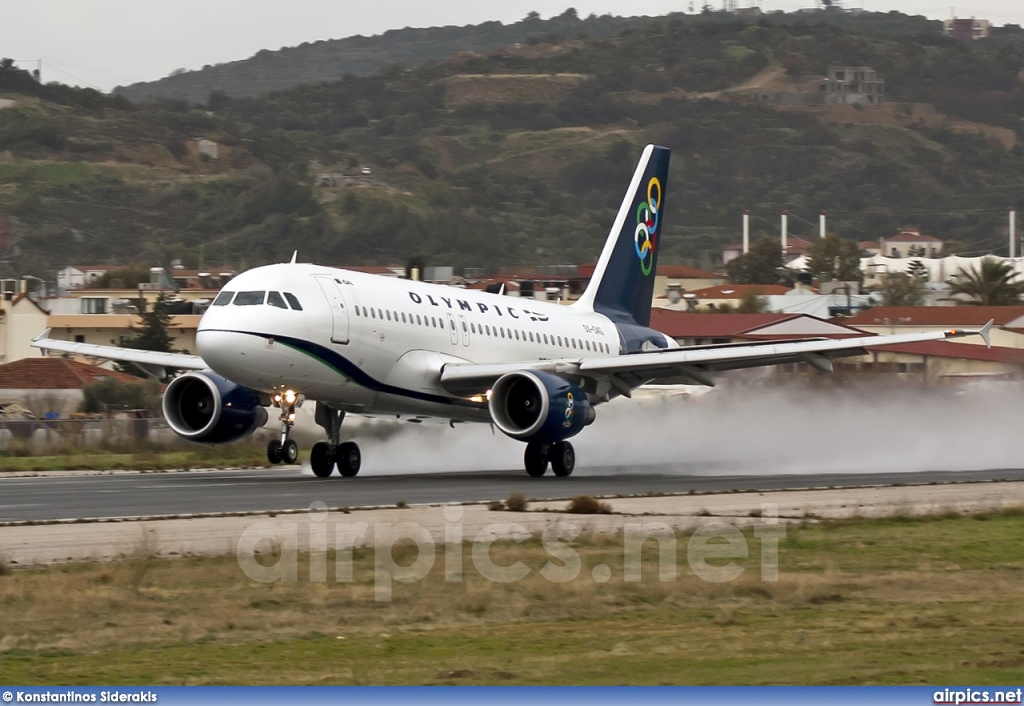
(694, 365)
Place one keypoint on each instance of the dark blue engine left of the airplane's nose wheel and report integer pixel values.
(206, 407)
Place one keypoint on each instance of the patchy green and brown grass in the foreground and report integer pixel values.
(873, 602)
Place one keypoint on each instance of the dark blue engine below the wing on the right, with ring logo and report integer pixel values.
(539, 407)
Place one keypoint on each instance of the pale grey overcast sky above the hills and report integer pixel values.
(105, 44)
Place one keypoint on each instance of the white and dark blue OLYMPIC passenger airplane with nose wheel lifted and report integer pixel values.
(358, 344)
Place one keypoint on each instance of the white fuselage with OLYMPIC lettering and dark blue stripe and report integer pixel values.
(376, 345)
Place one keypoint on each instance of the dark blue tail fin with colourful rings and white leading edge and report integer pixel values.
(624, 280)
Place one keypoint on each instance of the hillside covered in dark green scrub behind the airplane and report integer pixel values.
(521, 155)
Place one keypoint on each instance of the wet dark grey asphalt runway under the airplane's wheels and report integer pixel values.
(156, 494)
